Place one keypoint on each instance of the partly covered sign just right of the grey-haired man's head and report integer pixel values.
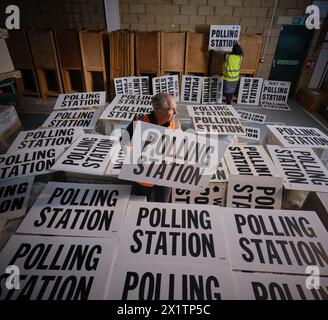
(221, 110)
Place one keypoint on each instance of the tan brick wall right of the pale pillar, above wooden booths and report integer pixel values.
(254, 16)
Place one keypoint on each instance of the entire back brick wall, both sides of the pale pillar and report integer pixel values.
(167, 15)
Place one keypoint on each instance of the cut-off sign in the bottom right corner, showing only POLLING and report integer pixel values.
(261, 286)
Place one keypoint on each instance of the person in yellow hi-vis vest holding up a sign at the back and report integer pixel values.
(231, 70)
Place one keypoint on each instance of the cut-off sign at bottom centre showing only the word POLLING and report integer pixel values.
(147, 281)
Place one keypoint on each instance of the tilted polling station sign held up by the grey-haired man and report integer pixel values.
(161, 156)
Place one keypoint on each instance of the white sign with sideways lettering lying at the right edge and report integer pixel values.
(301, 168)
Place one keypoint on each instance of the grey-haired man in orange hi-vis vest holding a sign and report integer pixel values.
(164, 114)
